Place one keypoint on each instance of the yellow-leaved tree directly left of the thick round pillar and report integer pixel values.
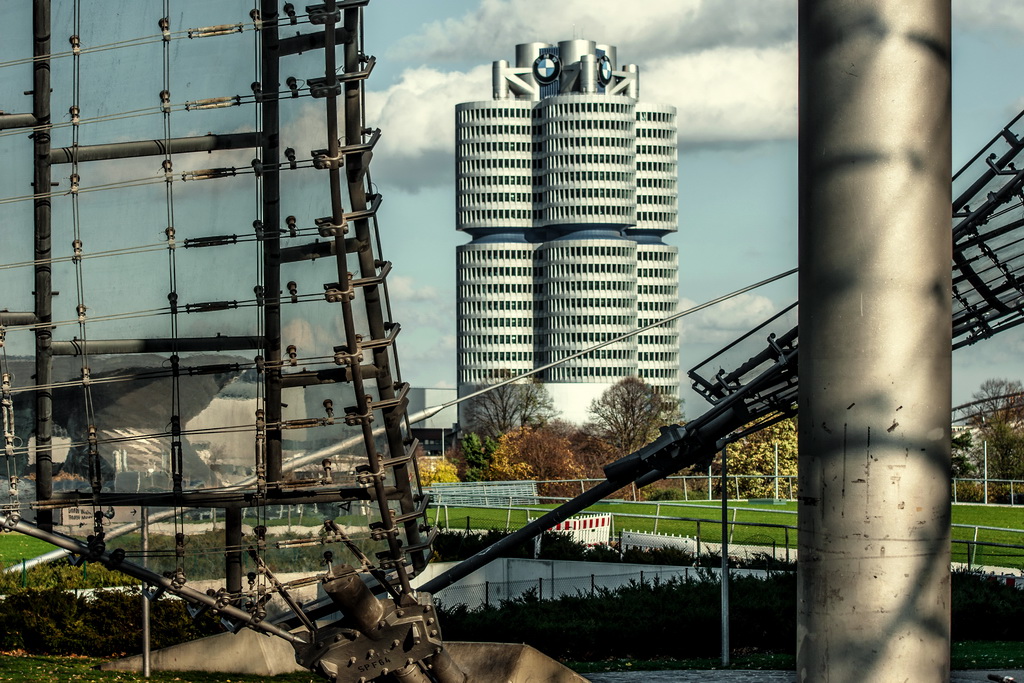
(755, 454)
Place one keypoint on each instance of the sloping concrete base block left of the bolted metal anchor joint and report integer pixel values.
(244, 653)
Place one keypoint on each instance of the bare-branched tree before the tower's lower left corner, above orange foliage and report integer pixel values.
(520, 404)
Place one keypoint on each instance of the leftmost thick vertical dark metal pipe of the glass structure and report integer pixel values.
(42, 269)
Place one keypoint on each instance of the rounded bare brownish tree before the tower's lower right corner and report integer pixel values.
(629, 414)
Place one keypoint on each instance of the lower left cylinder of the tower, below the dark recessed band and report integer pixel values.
(495, 310)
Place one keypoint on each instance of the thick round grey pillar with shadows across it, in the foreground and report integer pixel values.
(875, 333)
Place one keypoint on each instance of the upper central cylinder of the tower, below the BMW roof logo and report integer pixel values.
(587, 162)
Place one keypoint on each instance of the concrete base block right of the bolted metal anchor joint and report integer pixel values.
(505, 663)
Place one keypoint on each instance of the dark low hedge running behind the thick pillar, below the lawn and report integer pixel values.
(681, 618)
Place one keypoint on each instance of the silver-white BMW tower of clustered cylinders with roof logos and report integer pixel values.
(567, 186)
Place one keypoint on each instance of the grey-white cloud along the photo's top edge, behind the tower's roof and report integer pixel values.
(639, 30)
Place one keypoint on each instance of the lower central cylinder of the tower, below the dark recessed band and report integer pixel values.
(587, 295)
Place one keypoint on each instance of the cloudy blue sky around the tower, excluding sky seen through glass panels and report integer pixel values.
(731, 69)
